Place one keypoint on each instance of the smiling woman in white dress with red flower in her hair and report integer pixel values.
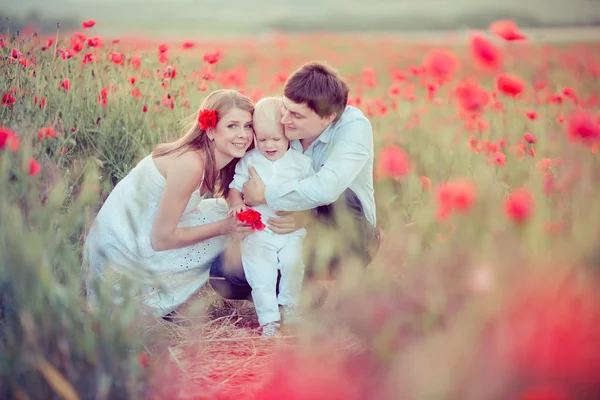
(156, 228)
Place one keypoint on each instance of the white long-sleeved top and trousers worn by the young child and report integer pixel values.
(264, 252)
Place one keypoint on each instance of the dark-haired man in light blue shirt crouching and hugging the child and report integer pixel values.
(339, 139)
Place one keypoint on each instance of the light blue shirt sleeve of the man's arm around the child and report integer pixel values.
(351, 151)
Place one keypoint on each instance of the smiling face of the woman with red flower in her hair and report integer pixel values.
(233, 134)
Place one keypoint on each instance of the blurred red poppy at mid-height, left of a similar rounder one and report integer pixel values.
(455, 196)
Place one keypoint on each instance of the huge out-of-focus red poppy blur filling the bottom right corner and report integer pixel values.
(547, 332)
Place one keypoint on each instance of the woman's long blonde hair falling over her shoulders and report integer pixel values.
(222, 101)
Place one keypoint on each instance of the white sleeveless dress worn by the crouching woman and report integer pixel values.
(118, 243)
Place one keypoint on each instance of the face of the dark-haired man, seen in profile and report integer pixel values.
(300, 122)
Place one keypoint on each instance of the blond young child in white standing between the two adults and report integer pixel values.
(264, 252)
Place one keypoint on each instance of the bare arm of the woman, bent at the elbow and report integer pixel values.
(183, 176)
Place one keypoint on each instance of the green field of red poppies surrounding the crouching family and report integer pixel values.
(486, 285)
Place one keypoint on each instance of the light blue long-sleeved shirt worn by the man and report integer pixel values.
(342, 158)
